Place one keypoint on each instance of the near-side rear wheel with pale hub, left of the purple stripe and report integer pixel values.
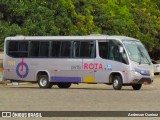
(43, 82)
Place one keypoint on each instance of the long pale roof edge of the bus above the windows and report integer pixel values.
(88, 37)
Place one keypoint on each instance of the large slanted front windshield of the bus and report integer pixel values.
(137, 51)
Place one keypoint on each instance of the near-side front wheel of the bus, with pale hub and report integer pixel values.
(117, 82)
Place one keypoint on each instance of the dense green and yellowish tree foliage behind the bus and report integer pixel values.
(134, 18)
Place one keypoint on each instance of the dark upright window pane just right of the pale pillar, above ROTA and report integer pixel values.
(103, 49)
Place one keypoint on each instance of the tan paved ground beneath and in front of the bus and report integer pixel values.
(82, 97)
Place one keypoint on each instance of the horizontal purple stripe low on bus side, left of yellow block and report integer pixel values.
(66, 79)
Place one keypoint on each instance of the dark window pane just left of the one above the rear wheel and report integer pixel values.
(34, 48)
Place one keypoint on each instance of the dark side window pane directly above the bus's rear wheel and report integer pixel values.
(44, 49)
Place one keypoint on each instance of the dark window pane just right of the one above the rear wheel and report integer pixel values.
(55, 48)
